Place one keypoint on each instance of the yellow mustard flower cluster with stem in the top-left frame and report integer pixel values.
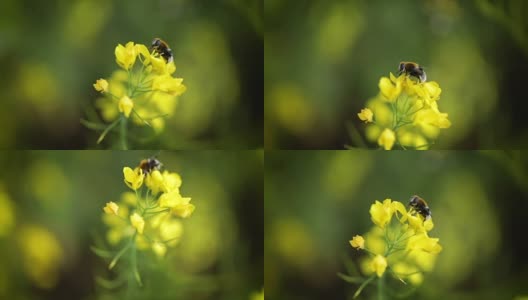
(144, 93)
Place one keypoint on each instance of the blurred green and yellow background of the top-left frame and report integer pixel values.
(53, 51)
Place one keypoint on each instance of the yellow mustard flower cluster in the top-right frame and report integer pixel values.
(405, 113)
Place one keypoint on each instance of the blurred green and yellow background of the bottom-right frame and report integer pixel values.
(316, 201)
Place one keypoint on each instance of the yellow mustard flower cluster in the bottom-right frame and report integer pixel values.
(398, 244)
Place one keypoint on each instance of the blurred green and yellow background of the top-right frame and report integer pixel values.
(324, 59)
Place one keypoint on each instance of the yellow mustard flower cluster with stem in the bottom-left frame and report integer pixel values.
(148, 218)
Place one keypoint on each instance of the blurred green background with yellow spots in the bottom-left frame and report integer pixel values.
(51, 213)
